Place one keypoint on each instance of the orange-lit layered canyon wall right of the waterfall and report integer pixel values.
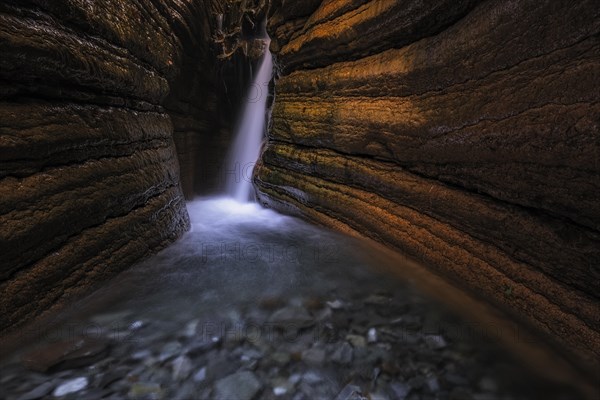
(462, 133)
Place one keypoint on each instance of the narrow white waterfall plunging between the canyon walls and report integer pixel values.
(251, 131)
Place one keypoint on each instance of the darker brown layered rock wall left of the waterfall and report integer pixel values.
(89, 179)
